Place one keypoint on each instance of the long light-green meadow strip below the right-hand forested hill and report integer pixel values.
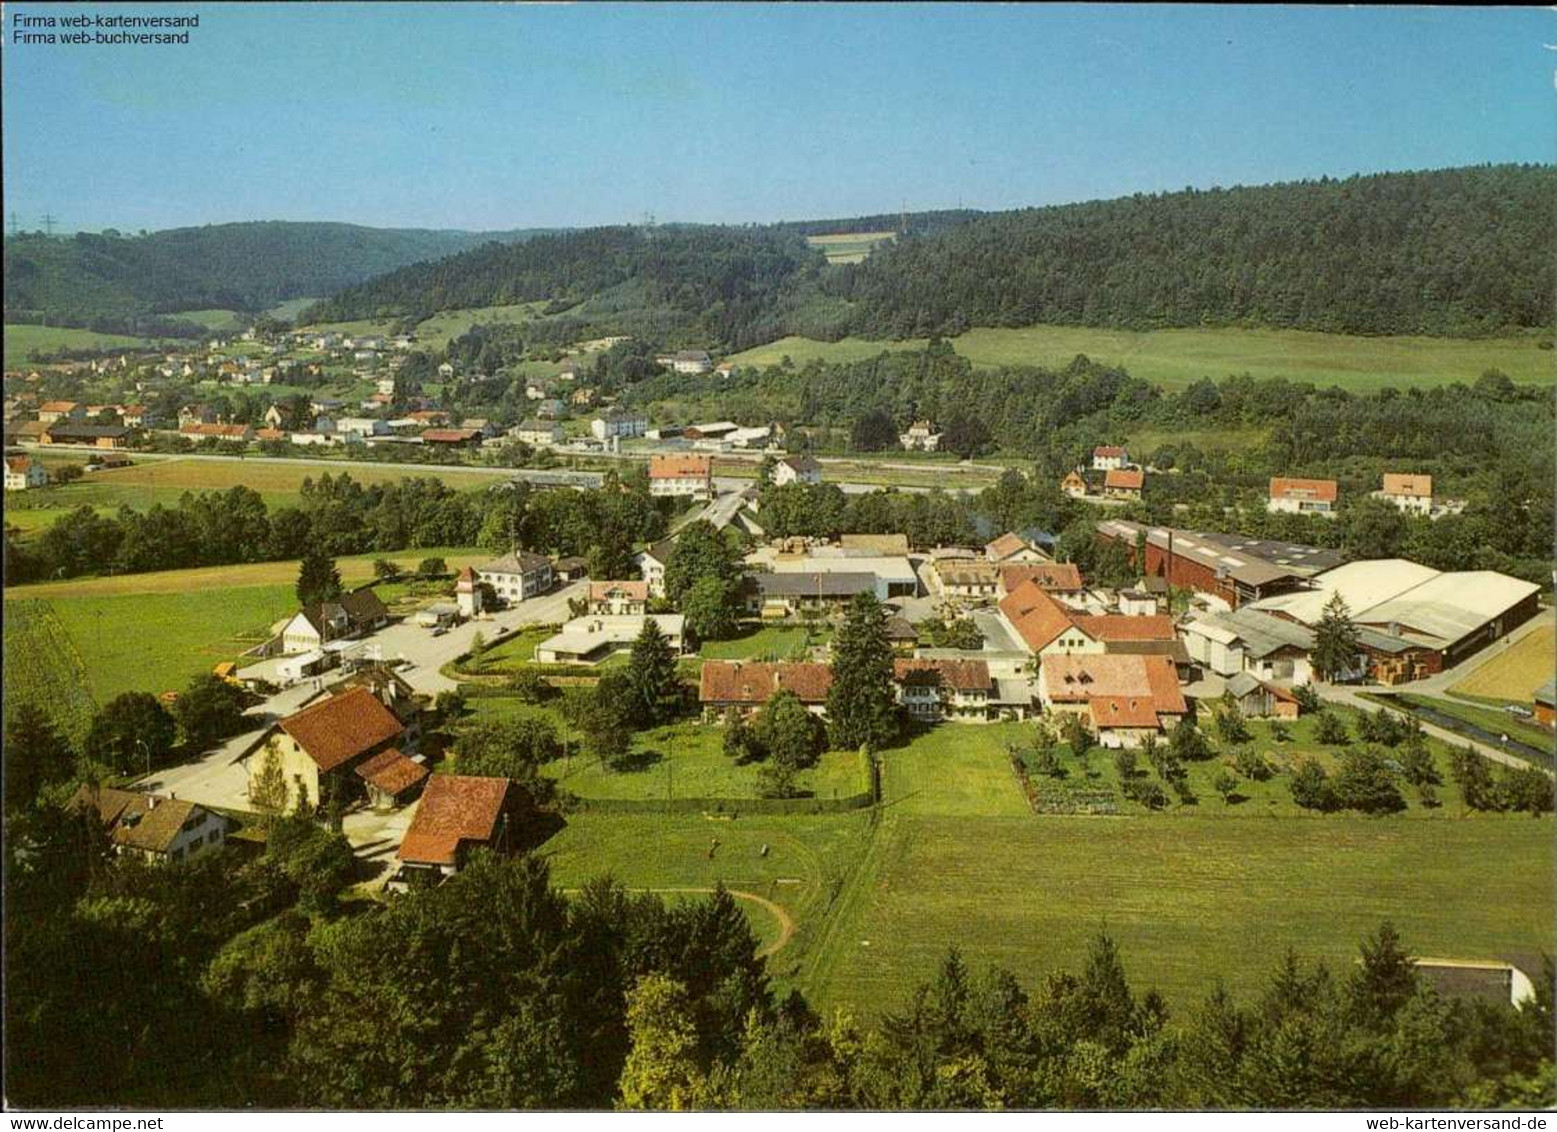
(1176, 359)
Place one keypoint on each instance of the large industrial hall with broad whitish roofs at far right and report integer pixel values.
(1419, 620)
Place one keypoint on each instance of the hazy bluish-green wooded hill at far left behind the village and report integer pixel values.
(93, 279)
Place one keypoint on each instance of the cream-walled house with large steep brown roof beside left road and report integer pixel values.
(312, 754)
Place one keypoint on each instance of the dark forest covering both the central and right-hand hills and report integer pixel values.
(1447, 253)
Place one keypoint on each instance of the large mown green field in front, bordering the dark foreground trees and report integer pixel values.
(1193, 895)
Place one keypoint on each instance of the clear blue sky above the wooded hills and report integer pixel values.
(515, 116)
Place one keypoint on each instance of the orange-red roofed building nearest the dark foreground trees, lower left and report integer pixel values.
(459, 814)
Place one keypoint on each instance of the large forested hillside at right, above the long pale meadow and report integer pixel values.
(1460, 251)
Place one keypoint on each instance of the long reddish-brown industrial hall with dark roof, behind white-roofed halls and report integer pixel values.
(1226, 566)
